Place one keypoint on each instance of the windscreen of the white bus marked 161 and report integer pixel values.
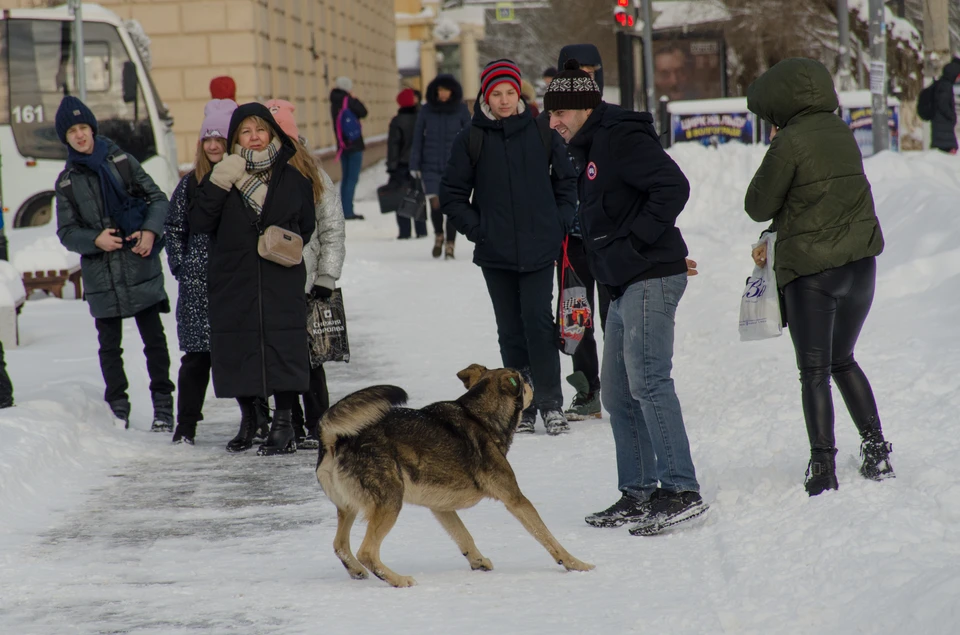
(41, 73)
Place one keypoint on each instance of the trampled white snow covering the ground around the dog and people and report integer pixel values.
(111, 531)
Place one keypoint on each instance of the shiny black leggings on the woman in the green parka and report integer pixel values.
(825, 313)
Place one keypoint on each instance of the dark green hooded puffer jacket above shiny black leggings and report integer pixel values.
(811, 183)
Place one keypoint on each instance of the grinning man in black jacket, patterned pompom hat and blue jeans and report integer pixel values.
(631, 193)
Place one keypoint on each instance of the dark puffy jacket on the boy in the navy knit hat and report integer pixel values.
(118, 283)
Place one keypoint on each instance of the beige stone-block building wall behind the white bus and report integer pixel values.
(285, 49)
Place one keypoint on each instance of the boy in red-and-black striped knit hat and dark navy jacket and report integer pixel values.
(516, 204)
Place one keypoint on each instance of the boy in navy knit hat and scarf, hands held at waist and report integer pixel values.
(114, 226)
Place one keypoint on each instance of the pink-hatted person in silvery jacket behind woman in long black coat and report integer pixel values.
(323, 257)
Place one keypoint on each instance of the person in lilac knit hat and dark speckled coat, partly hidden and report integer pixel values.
(187, 254)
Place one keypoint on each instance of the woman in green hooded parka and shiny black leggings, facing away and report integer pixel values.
(811, 185)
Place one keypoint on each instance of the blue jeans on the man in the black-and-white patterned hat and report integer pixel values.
(638, 392)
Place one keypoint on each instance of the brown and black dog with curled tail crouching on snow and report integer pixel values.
(375, 456)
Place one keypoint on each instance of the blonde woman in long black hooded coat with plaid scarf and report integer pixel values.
(258, 311)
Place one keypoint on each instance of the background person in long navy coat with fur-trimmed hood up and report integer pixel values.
(440, 120)
